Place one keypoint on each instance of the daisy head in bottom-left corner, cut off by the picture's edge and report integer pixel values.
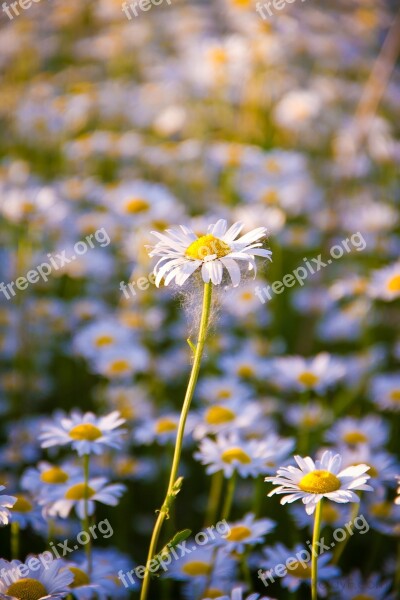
(50, 582)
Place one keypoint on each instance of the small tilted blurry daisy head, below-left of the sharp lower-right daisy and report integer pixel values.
(246, 532)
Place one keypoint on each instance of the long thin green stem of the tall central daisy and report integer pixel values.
(163, 514)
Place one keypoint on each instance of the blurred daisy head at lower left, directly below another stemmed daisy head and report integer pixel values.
(78, 494)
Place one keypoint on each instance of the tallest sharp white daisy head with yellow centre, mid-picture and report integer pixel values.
(182, 252)
